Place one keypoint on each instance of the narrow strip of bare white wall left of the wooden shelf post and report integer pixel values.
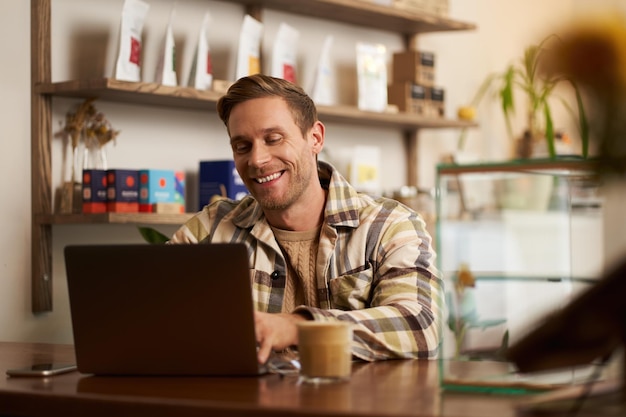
(15, 320)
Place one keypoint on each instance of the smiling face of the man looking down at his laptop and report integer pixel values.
(274, 160)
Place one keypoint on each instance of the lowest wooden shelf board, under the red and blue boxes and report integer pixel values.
(113, 218)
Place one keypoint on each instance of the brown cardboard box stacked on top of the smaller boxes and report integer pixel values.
(417, 67)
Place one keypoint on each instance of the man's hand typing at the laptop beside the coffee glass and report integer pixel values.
(275, 331)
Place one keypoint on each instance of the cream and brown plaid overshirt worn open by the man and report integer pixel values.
(375, 267)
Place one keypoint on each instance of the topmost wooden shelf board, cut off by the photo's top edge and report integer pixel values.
(365, 13)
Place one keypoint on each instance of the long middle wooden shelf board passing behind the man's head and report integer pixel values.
(109, 89)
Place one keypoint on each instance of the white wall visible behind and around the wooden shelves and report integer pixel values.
(463, 60)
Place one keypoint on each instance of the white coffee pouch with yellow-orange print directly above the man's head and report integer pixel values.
(249, 53)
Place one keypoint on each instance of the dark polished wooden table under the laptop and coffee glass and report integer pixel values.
(390, 388)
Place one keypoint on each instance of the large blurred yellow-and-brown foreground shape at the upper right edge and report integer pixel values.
(593, 55)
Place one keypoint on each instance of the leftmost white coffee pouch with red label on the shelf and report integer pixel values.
(128, 66)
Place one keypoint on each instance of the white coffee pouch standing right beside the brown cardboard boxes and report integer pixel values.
(372, 76)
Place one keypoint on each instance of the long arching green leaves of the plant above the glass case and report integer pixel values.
(527, 77)
